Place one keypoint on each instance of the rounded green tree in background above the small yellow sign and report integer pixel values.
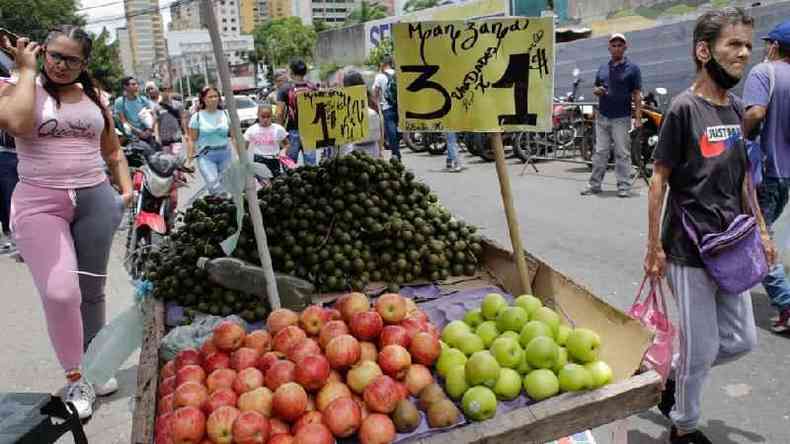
(282, 40)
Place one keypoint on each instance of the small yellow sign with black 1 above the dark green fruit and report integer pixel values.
(333, 117)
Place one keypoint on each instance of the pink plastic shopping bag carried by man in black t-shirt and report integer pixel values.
(652, 313)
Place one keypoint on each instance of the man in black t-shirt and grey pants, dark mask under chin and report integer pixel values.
(701, 156)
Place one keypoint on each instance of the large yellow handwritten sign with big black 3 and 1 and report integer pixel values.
(480, 75)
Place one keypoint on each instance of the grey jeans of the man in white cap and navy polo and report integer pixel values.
(611, 133)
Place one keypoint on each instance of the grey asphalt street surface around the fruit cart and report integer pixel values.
(597, 240)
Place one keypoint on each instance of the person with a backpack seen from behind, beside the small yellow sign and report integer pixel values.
(288, 112)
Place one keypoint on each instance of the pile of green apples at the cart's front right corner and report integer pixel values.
(499, 348)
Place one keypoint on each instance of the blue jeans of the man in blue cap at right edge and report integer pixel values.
(772, 195)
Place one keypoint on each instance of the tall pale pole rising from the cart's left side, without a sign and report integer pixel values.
(252, 197)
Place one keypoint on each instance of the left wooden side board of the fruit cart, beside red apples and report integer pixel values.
(143, 421)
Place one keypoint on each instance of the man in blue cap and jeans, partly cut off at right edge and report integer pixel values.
(766, 95)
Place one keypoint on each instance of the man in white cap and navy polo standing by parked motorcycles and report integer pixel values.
(617, 84)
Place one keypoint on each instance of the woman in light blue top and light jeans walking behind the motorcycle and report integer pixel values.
(209, 133)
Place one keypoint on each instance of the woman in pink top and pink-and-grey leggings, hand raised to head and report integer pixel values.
(64, 211)
